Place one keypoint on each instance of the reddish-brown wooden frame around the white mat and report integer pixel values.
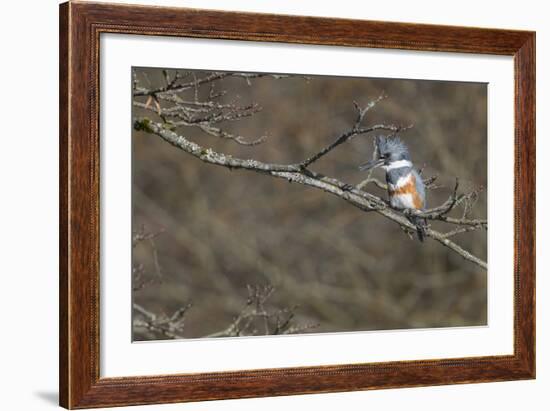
(80, 27)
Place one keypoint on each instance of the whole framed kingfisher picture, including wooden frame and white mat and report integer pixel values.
(259, 205)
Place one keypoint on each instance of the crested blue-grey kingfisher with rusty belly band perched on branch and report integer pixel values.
(405, 186)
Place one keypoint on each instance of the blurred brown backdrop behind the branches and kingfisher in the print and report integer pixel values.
(212, 232)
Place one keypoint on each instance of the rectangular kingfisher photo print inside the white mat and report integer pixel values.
(272, 204)
